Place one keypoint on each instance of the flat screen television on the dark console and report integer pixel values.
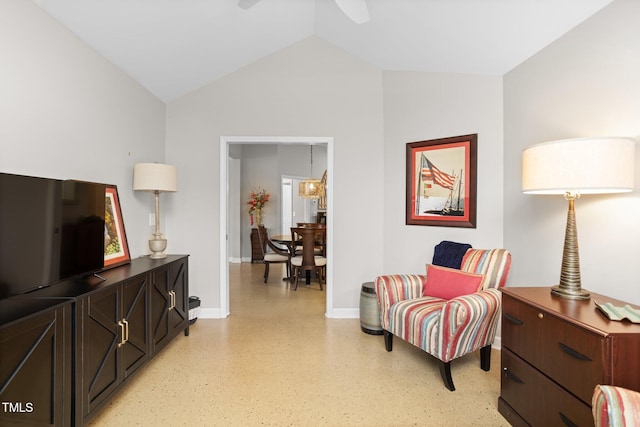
(50, 230)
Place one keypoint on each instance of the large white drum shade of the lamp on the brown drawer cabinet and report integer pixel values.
(579, 166)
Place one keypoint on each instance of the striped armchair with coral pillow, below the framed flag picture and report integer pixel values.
(447, 313)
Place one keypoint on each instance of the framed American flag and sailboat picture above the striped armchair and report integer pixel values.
(441, 182)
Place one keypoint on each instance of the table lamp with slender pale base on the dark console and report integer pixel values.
(155, 177)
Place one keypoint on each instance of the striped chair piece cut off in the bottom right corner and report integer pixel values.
(615, 406)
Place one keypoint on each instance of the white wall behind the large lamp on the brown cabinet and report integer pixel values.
(584, 84)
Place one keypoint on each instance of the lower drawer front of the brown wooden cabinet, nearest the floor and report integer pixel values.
(538, 399)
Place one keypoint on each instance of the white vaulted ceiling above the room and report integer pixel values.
(172, 47)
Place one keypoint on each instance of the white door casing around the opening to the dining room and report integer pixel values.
(227, 193)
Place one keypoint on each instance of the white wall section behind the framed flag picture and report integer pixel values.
(422, 106)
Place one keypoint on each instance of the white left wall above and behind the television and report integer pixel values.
(66, 112)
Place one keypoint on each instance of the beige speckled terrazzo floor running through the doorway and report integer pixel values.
(277, 361)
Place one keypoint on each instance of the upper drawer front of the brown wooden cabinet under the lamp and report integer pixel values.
(568, 354)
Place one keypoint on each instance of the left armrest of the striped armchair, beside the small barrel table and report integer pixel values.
(397, 287)
